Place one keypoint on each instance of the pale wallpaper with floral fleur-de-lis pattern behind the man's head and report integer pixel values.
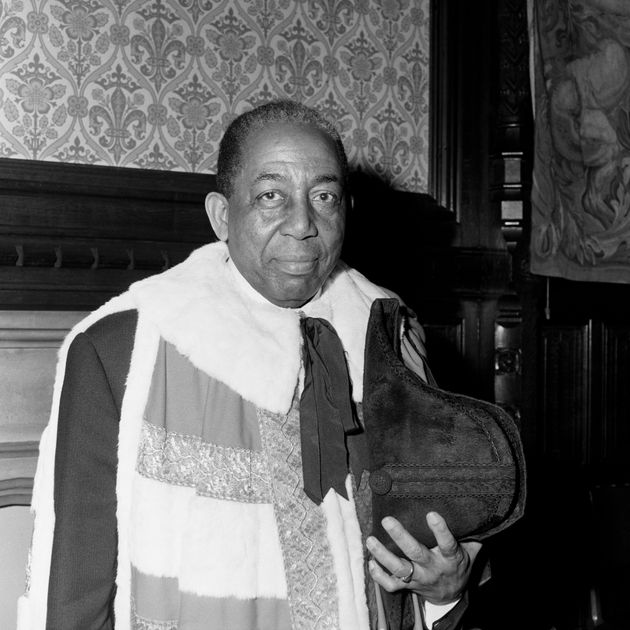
(152, 83)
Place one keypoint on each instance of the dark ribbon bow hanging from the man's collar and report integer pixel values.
(326, 411)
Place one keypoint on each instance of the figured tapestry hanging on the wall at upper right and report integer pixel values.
(581, 193)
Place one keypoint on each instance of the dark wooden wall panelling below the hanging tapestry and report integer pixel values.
(584, 372)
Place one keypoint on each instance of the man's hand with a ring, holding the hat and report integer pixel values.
(439, 574)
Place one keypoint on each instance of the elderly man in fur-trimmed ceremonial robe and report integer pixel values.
(188, 490)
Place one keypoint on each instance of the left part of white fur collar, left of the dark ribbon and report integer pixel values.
(221, 331)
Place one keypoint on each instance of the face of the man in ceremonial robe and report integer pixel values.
(286, 216)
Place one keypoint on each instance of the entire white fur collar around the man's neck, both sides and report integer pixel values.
(214, 317)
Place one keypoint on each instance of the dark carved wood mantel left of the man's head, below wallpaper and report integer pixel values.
(72, 235)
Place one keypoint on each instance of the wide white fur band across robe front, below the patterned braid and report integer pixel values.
(165, 516)
